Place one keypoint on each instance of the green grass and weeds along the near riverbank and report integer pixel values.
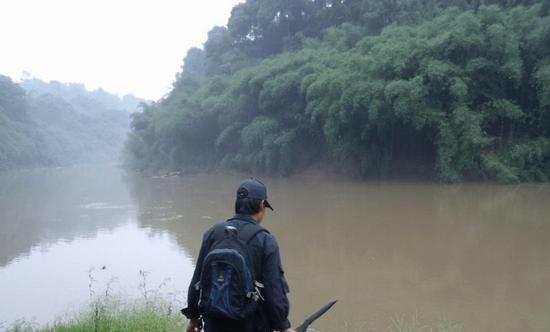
(154, 311)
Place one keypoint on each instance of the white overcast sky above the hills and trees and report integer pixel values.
(122, 46)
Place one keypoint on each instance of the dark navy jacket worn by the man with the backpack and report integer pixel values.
(264, 252)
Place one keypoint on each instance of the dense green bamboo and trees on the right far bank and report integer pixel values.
(455, 89)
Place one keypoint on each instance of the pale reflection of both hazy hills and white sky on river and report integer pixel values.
(58, 225)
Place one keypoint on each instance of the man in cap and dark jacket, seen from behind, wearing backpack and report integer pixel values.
(266, 307)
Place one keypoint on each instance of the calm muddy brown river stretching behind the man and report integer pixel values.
(473, 254)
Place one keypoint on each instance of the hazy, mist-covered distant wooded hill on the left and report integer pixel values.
(54, 124)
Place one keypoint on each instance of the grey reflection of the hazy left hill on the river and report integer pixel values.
(45, 205)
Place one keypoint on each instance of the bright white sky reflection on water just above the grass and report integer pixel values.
(53, 280)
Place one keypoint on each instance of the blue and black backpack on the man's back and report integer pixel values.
(228, 290)
